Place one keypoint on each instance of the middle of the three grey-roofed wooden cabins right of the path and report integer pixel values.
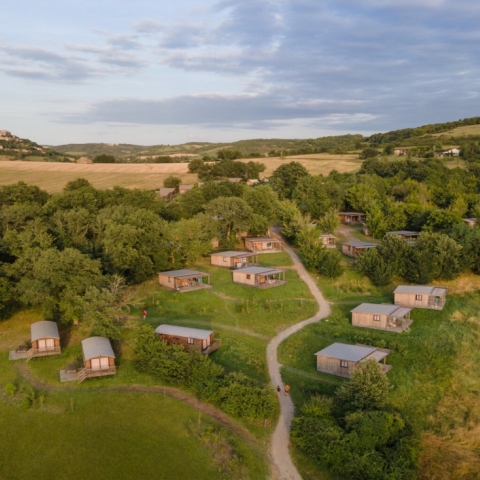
(382, 317)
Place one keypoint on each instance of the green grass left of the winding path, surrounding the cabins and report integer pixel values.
(82, 427)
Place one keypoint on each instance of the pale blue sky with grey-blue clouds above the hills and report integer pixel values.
(151, 72)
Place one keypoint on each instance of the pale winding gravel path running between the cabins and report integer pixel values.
(280, 454)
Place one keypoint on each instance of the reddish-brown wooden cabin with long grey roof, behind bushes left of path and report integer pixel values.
(197, 339)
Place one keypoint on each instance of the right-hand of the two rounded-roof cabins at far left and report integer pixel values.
(98, 358)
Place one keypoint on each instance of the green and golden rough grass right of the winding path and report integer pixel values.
(435, 373)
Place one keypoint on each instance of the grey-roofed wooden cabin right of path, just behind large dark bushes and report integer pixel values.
(341, 359)
